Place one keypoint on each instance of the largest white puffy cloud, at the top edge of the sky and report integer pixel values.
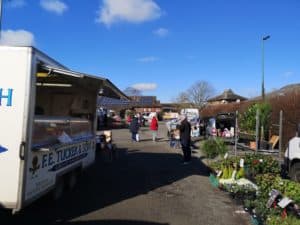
(132, 11)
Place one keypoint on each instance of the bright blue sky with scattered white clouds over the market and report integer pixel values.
(164, 46)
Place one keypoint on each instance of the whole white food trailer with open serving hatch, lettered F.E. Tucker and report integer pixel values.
(48, 124)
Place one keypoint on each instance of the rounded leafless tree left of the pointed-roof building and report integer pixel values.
(199, 93)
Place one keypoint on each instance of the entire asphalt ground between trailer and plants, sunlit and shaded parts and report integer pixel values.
(146, 184)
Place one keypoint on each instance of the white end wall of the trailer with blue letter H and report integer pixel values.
(15, 64)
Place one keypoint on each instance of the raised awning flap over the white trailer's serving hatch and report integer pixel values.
(48, 75)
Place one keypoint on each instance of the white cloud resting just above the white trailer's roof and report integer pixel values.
(17, 38)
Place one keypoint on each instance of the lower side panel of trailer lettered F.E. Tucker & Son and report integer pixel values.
(45, 165)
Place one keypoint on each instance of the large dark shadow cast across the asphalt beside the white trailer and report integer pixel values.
(132, 174)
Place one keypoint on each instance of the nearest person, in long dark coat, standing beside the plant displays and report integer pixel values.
(185, 139)
